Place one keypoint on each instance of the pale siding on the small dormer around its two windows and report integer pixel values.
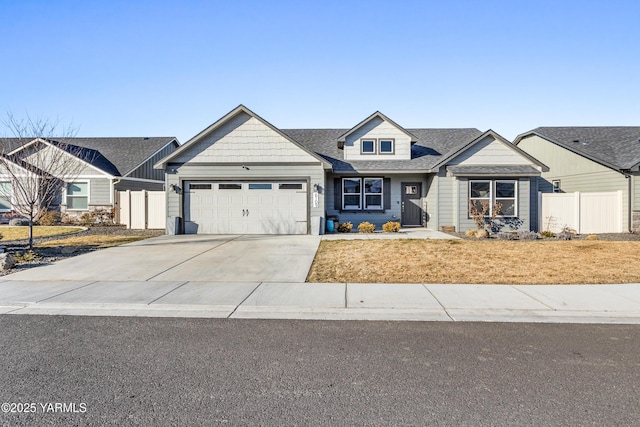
(376, 128)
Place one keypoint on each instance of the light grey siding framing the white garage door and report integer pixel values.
(313, 174)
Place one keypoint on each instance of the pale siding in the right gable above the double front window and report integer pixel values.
(490, 151)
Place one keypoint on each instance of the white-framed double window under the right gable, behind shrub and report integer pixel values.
(494, 192)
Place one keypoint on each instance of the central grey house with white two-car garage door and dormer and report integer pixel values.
(243, 175)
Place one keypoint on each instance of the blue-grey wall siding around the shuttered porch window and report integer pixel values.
(378, 218)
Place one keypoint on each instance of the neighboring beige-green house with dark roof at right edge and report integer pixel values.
(589, 159)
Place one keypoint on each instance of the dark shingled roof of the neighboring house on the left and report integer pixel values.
(115, 156)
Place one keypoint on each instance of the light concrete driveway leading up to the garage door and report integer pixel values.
(228, 258)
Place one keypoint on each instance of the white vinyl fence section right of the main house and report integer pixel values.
(587, 213)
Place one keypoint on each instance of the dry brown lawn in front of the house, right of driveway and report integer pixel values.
(466, 261)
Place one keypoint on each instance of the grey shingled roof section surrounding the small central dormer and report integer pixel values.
(431, 146)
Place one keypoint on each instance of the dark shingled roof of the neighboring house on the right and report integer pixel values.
(617, 147)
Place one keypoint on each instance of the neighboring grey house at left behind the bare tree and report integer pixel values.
(101, 166)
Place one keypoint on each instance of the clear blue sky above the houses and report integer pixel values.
(171, 68)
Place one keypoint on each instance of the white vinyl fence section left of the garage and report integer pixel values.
(141, 209)
